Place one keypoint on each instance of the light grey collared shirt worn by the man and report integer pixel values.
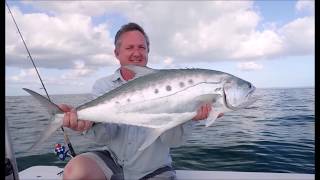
(122, 141)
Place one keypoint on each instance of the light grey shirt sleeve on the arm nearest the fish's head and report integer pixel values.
(178, 135)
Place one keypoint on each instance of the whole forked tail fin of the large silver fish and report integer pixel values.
(53, 110)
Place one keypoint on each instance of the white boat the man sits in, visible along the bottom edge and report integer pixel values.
(56, 173)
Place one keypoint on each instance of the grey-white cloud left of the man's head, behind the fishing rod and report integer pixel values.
(57, 41)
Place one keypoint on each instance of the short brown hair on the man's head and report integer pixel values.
(130, 27)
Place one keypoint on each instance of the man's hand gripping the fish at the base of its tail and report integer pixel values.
(70, 119)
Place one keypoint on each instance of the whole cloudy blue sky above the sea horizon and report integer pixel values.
(269, 43)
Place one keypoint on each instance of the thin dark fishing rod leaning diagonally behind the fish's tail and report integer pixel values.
(66, 138)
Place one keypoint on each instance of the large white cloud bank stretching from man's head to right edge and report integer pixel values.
(219, 30)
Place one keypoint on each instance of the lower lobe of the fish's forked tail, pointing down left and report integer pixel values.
(53, 126)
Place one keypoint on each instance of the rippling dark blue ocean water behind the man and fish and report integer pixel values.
(275, 134)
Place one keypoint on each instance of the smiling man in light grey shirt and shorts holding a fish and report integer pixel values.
(122, 160)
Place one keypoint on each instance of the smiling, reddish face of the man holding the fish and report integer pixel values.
(132, 49)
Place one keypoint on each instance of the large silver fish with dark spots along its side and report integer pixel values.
(158, 100)
